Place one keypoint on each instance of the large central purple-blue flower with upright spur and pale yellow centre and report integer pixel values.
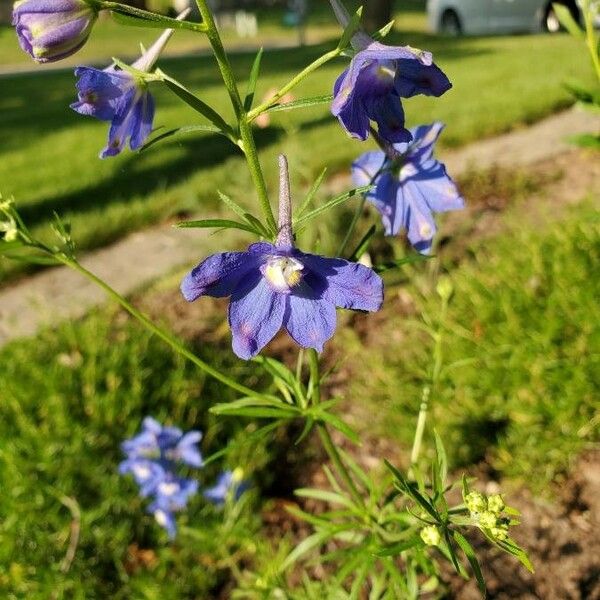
(275, 285)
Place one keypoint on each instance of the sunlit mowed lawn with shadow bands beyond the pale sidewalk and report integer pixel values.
(48, 153)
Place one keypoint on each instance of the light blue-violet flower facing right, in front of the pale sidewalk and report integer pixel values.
(410, 186)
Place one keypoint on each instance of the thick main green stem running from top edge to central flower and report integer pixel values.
(248, 145)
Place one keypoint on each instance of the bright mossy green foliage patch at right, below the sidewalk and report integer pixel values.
(521, 365)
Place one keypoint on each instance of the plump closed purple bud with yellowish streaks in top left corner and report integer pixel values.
(50, 31)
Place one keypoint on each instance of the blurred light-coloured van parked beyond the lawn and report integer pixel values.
(475, 17)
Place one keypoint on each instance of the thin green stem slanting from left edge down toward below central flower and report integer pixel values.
(161, 333)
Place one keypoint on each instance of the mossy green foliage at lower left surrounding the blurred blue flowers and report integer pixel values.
(68, 399)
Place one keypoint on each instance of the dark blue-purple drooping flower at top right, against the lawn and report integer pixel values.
(378, 77)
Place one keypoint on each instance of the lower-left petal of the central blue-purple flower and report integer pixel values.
(255, 315)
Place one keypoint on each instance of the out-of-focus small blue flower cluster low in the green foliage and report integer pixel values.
(152, 457)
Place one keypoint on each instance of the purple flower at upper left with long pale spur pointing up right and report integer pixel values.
(121, 97)
